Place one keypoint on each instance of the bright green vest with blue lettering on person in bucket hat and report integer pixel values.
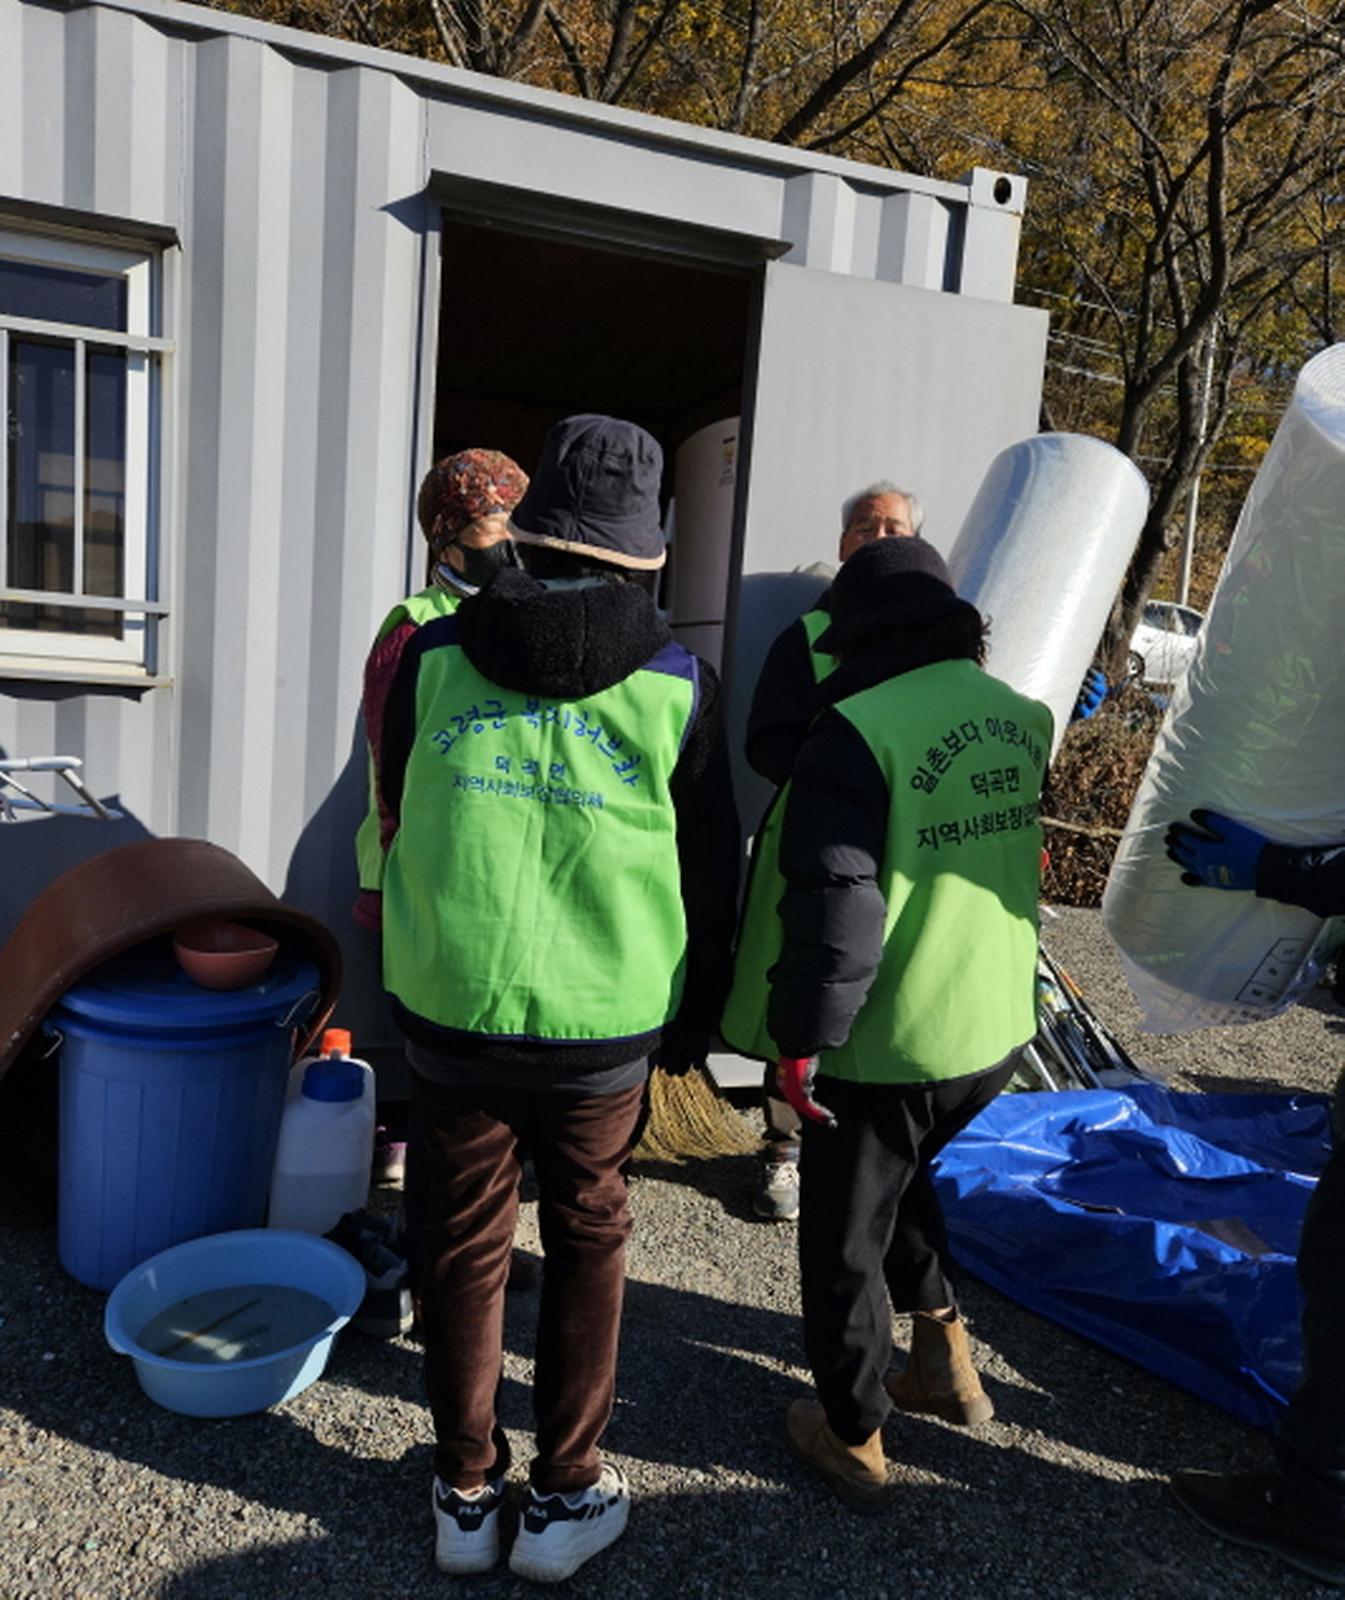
(533, 889)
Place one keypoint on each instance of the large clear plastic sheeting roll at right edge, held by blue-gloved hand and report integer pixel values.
(1253, 732)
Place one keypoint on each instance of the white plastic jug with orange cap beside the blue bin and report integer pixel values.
(327, 1140)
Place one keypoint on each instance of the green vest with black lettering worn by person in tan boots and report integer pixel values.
(964, 758)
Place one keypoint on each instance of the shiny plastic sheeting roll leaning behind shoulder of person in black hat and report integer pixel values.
(1042, 554)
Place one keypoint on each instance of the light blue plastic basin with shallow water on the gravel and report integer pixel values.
(258, 1255)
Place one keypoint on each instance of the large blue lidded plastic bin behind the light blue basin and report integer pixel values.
(170, 1106)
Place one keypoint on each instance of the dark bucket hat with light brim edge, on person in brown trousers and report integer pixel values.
(596, 494)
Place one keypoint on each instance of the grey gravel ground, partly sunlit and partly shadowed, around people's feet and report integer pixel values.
(105, 1497)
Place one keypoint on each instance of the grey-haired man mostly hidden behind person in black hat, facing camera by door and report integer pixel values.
(783, 710)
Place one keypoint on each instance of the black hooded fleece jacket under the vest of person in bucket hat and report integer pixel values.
(567, 644)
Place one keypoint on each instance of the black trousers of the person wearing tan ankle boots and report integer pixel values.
(871, 1230)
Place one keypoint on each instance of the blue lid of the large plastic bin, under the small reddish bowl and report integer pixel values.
(146, 991)
